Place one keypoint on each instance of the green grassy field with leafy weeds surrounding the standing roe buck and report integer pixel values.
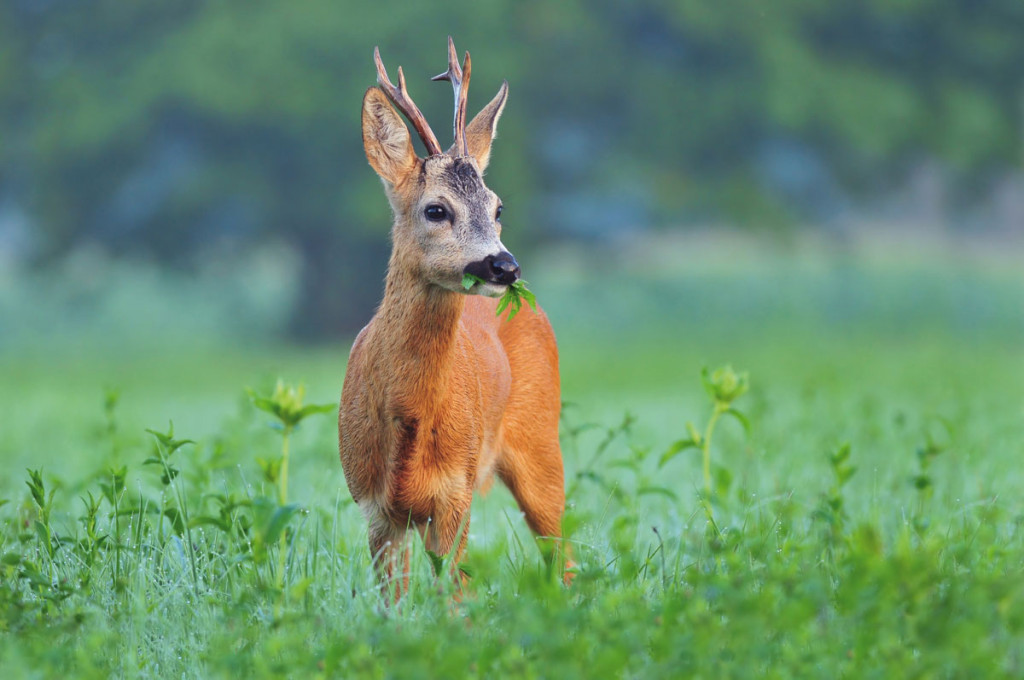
(870, 524)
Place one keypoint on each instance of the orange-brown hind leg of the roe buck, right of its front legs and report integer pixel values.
(535, 477)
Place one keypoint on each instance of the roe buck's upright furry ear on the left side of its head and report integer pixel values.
(386, 139)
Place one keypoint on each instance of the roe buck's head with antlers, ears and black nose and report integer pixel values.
(448, 223)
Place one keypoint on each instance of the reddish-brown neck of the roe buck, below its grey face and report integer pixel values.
(422, 323)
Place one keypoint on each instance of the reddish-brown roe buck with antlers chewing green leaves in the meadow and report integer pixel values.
(442, 394)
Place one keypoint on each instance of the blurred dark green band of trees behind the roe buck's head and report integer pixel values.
(163, 127)
